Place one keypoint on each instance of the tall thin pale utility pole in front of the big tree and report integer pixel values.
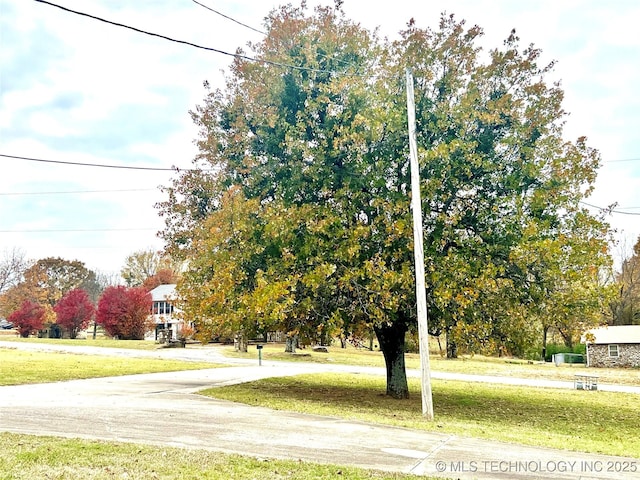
(418, 252)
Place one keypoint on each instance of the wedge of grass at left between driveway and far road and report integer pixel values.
(19, 367)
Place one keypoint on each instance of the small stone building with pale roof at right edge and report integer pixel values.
(616, 346)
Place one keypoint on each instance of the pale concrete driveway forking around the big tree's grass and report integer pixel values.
(162, 409)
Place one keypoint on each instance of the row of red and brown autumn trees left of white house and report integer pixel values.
(64, 297)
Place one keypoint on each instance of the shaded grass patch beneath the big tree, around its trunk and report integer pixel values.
(597, 422)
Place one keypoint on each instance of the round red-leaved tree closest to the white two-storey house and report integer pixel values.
(125, 312)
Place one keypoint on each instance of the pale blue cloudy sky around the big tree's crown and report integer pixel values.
(73, 89)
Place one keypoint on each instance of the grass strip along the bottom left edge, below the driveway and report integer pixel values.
(27, 457)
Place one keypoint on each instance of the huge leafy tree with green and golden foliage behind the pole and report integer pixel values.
(323, 144)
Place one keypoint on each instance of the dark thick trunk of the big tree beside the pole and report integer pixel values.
(391, 339)
